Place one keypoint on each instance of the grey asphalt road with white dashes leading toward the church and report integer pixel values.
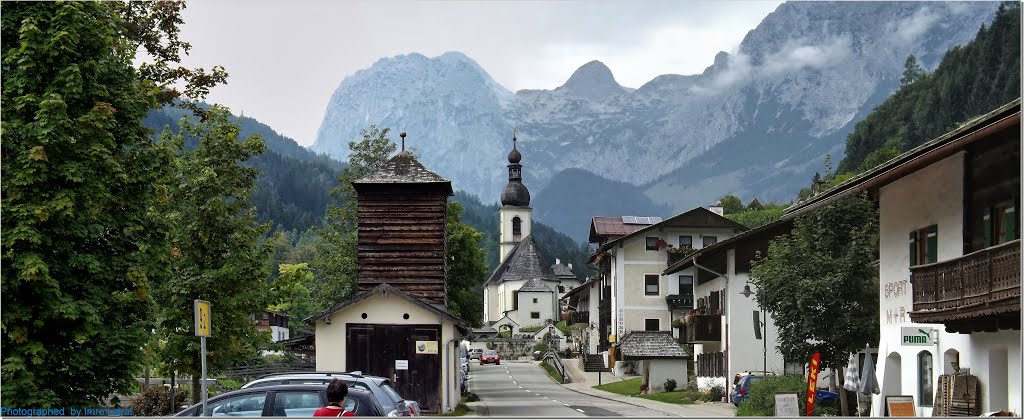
(525, 390)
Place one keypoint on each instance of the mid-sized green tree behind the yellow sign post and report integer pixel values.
(217, 253)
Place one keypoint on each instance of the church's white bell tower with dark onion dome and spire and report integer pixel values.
(516, 213)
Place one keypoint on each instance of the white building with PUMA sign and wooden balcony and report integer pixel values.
(950, 268)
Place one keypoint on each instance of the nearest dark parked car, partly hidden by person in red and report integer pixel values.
(283, 401)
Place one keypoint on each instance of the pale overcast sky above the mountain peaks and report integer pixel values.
(285, 59)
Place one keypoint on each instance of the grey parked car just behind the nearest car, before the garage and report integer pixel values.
(381, 388)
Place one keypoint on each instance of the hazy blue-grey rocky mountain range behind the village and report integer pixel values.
(756, 123)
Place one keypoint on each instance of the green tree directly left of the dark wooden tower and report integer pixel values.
(335, 264)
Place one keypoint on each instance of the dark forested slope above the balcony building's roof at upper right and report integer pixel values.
(971, 80)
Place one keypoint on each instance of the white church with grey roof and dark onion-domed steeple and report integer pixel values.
(526, 289)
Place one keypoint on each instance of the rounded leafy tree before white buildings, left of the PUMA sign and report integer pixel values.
(823, 271)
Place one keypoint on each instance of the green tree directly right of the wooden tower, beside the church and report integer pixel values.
(467, 267)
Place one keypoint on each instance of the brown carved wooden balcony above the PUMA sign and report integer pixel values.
(980, 291)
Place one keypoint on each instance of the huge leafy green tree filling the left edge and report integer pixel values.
(81, 181)
